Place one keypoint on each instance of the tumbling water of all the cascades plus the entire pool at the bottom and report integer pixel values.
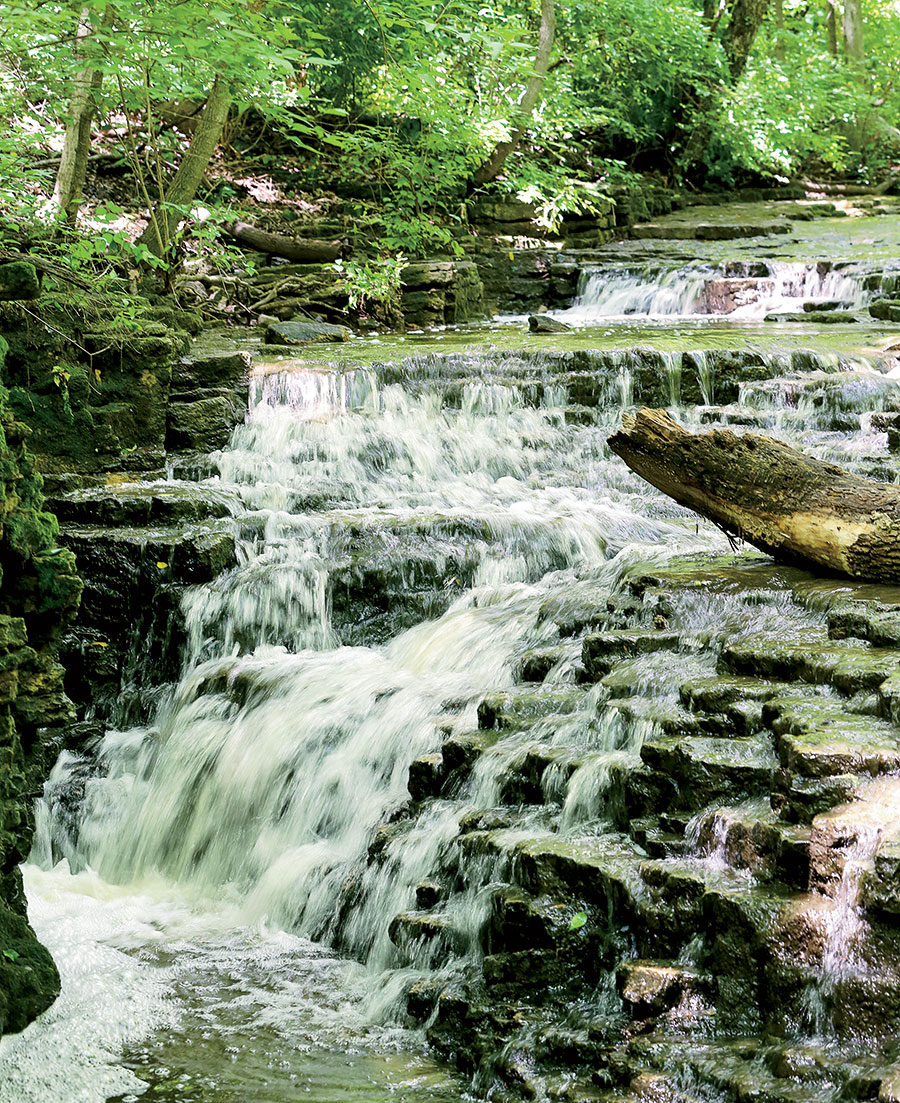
(220, 933)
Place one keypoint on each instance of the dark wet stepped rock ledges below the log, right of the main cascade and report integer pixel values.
(736, 874)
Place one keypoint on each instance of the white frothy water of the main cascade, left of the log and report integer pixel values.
(239, 823)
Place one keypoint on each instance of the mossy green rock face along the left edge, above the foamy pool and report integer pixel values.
(39, 594)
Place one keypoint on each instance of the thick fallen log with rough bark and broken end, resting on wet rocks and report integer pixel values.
(788, 505)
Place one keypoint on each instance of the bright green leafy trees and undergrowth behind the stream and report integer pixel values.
(547, 100)
